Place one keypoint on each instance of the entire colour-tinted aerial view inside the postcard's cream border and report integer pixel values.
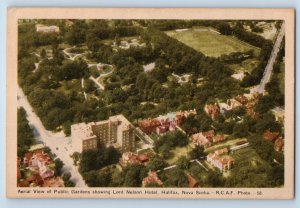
(150, 103)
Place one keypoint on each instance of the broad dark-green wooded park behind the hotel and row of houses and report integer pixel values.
(169, 56)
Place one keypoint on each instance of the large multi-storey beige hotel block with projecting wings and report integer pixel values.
(117, 131)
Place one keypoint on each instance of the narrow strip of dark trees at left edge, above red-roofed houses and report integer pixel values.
(24, 132)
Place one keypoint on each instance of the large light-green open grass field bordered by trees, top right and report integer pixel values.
(211, 44)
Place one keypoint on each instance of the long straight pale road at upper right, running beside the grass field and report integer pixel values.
(268, 70)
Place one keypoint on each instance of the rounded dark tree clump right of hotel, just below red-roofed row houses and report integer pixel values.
(164, 144)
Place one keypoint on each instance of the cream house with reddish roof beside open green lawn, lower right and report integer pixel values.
(221, 160)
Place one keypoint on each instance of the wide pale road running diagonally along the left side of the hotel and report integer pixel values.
(57, 142)
